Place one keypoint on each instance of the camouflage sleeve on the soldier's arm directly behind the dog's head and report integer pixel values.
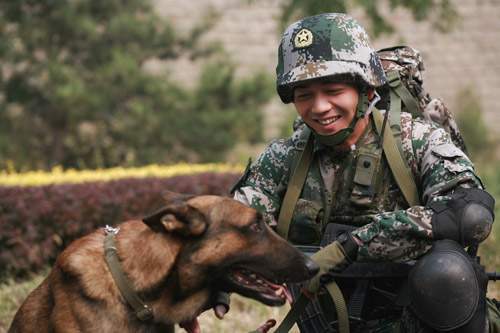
(265, 184)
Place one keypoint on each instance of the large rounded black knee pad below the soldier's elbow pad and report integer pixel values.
(447, 290)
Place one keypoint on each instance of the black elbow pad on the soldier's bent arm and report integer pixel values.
(467, 218)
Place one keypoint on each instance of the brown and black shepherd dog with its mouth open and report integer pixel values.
(176, 260)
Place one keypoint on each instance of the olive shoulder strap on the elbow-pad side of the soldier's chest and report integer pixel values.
(400, 170)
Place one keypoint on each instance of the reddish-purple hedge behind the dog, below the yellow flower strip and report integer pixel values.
(37, 222)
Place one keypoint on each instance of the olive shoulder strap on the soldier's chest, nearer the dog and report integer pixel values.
(294, 188)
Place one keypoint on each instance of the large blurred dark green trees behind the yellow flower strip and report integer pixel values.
(76, 93)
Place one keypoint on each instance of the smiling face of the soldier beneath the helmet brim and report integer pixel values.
(327, 107)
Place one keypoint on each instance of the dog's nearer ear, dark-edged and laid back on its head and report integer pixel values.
(178, 217)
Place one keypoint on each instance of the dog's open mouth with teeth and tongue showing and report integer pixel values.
(254, 285)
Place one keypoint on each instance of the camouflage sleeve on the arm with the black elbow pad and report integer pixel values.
(440, 167)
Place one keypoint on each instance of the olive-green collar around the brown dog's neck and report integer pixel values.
(142, 311)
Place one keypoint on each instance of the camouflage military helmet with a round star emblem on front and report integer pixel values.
(325, 45)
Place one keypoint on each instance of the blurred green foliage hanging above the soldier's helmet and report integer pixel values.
(441, 13)
